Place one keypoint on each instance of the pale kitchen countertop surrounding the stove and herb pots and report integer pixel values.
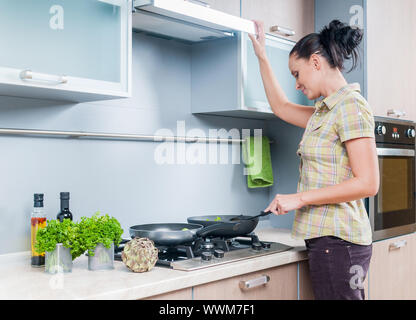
(19, 280)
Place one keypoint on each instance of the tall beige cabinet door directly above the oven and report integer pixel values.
(391, 84)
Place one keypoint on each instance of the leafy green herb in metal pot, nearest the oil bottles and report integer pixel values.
(59, 242)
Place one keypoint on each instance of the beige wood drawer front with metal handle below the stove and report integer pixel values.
(282, 285)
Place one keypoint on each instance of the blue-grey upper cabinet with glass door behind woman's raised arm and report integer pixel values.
(226, 79)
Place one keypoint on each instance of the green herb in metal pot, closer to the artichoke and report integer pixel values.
(98, 235)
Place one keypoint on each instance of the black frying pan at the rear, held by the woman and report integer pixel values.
(231, 228)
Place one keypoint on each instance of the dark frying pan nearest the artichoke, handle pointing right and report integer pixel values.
(171, 234)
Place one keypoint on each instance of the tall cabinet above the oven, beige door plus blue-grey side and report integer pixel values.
(387, 61)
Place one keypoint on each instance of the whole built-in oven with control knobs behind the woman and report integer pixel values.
(392, 211)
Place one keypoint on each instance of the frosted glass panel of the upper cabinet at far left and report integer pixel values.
(80, 38)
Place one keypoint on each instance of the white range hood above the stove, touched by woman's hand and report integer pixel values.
(186, 21)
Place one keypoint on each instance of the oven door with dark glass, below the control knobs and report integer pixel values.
(392, 210)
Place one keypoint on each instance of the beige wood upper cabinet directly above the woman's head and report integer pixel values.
(296, 15)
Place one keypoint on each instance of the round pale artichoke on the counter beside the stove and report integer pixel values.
(140, 254)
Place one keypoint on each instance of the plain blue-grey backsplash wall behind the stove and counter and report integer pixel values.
(122, 178)
